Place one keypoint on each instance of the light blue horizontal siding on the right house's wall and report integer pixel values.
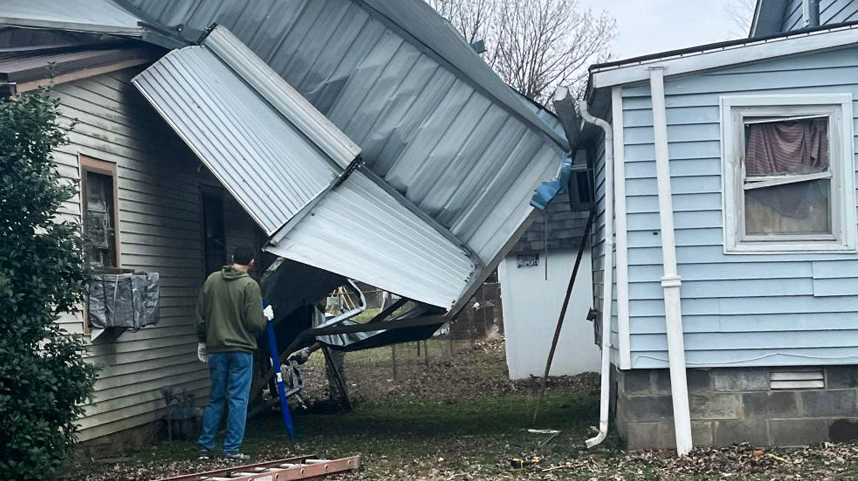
(738, 310)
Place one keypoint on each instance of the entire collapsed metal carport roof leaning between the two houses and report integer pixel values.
(365, 137)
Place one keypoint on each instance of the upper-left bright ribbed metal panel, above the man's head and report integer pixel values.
(265, 162)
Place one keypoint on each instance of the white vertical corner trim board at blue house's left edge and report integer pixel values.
(621, 231)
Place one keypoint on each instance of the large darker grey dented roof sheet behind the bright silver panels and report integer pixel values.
(428, 117)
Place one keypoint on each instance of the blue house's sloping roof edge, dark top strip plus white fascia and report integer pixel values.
(722, 54)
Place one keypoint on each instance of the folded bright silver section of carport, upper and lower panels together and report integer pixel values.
(277, 157)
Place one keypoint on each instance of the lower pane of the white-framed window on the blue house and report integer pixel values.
(800, 208)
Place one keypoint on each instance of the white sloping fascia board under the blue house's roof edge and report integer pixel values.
(725, 56)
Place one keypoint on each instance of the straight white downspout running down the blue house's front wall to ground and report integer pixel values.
(671, 281)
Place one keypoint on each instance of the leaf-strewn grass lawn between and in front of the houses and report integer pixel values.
(460, 418)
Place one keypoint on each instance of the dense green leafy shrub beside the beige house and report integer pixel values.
(43, 377)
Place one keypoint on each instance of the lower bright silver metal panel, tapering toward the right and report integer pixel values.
(360, 231)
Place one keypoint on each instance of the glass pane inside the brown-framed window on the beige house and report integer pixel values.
(99, 232)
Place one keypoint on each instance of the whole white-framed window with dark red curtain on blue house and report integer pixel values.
(788, 181)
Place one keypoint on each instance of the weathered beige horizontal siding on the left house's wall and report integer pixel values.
(159, 229)
